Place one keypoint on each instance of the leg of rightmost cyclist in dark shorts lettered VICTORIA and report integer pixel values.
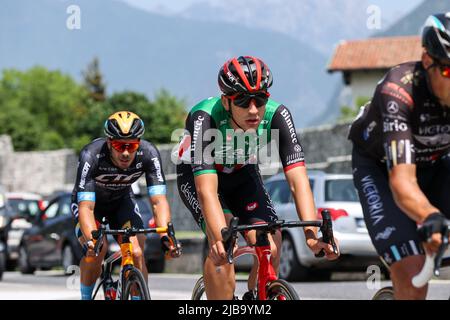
(392, 232)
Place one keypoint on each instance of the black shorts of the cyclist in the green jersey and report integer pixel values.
(241, 193)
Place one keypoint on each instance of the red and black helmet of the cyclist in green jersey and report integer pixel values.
(244, 74)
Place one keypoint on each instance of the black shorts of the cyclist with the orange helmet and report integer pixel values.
(120, 213)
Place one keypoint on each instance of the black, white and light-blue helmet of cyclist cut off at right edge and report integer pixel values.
(436, 36)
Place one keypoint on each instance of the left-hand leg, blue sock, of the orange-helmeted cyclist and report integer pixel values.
(90, 269)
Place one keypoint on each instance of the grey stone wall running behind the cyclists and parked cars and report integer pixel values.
(44, 172)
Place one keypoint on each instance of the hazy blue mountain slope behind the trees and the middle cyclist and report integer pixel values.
(142, 51)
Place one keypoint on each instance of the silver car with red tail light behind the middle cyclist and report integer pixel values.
(336, 193)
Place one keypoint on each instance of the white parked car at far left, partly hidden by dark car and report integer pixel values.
(25, 206)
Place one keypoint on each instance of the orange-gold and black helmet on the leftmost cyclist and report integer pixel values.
(124, 125)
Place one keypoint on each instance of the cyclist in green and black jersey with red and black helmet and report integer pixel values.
(219, 179)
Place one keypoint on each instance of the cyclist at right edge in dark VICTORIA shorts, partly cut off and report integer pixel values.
(401, 162)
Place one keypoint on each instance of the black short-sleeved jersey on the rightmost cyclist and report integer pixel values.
(404, 122)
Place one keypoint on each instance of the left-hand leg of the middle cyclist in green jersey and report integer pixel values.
(219, 281)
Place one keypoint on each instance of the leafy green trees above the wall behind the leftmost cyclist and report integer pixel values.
(46, 110)
